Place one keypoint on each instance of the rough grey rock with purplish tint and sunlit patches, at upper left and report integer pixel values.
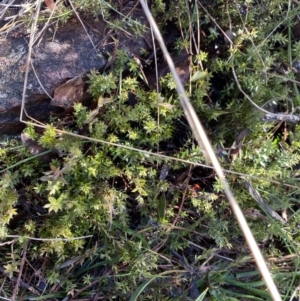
(60, 54)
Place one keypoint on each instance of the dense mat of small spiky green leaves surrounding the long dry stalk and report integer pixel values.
(152, 235)
